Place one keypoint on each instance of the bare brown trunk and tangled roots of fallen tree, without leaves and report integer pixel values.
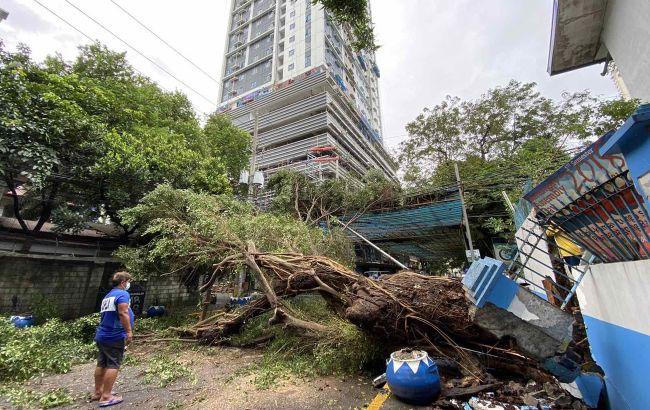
(405, 309)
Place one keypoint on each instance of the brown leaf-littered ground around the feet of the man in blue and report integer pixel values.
(222, 382)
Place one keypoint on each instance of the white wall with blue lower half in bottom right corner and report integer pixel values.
(615, 305)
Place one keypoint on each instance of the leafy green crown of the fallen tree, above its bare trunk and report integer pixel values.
(187, 230)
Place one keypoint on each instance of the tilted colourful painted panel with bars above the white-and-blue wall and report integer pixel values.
(594, 201)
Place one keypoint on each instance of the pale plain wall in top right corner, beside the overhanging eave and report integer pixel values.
(627, 37)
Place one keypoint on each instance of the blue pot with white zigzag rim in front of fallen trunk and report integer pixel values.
(413, 376)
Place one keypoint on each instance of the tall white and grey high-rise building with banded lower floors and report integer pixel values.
(290, 69)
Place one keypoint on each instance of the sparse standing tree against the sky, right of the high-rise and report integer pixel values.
(506, 137)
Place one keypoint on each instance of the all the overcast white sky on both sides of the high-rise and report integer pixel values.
(430, 48)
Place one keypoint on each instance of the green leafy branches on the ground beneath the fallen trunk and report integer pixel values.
(344, 350)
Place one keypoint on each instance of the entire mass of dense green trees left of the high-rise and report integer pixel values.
(91, 137)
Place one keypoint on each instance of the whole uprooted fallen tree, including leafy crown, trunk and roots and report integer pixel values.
(185, 231)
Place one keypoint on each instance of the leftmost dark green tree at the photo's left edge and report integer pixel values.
(43, 133)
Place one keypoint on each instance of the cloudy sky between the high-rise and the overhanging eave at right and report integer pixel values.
(431, 48)
